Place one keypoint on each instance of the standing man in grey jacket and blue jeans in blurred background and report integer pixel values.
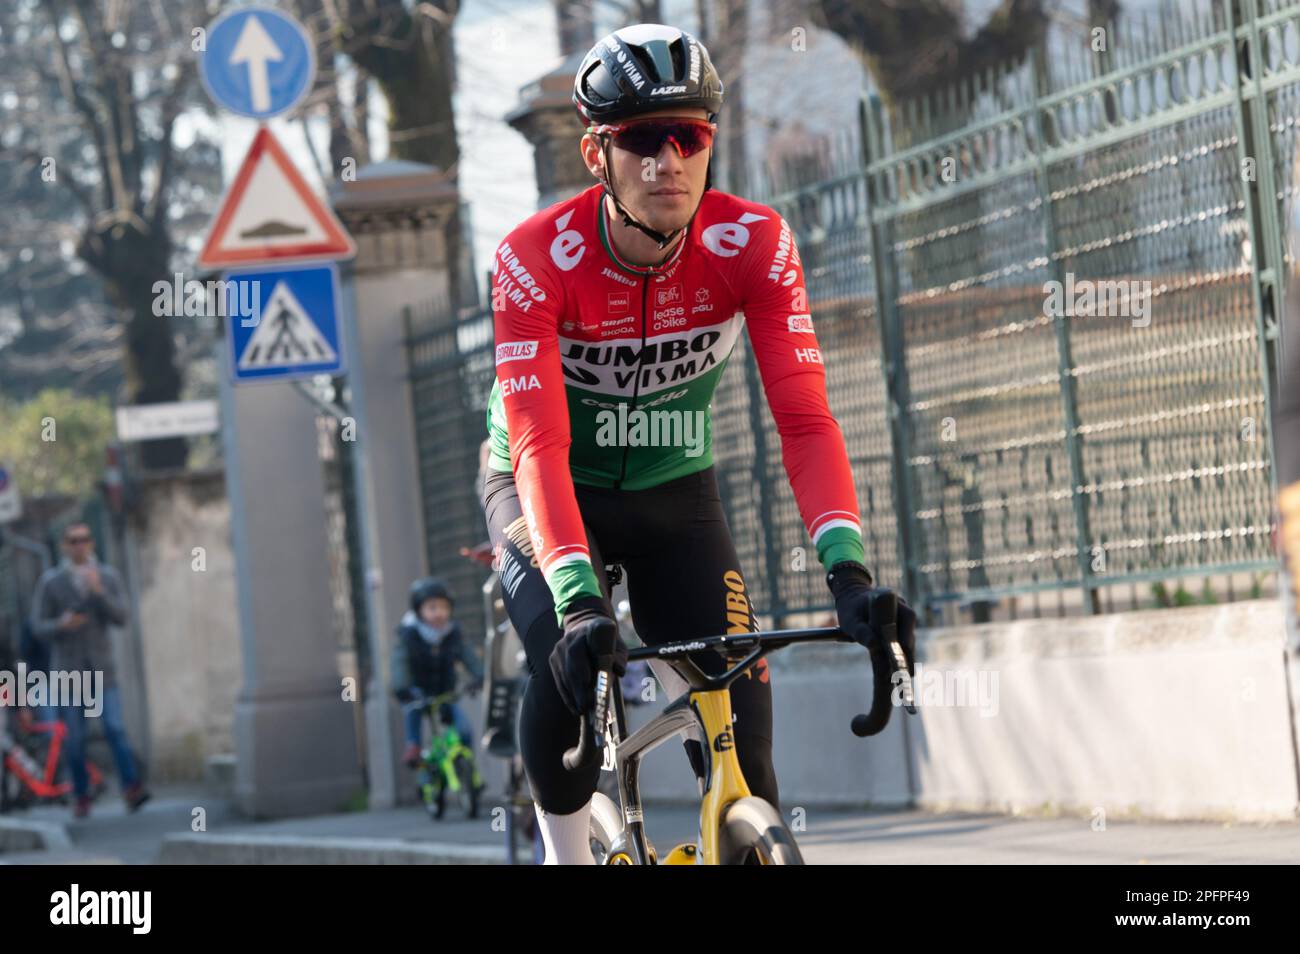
(72, 610)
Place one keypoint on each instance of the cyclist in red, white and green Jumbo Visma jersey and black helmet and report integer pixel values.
(619, 303)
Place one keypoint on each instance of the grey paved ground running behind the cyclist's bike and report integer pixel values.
(162, 831)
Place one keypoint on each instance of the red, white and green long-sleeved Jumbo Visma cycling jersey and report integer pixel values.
(605, 371)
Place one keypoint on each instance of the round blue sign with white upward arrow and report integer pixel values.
(258, 62)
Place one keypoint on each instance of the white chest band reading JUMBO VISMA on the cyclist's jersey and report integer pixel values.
(668, 359)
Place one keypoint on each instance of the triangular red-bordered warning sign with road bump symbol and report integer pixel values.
(270, 215)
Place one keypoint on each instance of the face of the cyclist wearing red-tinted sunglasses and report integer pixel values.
(662, 192)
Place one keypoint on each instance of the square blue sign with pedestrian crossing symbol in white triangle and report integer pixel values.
(288, 324)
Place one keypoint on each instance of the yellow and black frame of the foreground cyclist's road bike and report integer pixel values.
(707, 704)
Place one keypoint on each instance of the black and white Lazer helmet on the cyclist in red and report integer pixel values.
(644, 68)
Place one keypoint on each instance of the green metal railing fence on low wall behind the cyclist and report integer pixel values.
(1013, 454)
